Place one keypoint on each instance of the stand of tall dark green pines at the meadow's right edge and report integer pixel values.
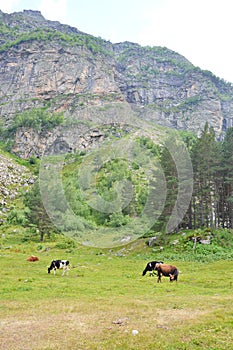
(211, 203)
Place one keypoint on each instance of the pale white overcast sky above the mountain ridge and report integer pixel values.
(200, 30)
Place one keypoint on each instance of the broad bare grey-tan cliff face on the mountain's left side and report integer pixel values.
(38, 72)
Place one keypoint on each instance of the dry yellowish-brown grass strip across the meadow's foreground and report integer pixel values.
(59, 330)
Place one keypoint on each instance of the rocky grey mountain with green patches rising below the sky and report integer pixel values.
(52, 67)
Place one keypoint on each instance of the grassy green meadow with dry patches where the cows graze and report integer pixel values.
(104, 298)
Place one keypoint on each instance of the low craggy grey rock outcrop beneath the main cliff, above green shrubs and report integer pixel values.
(62, 140)
